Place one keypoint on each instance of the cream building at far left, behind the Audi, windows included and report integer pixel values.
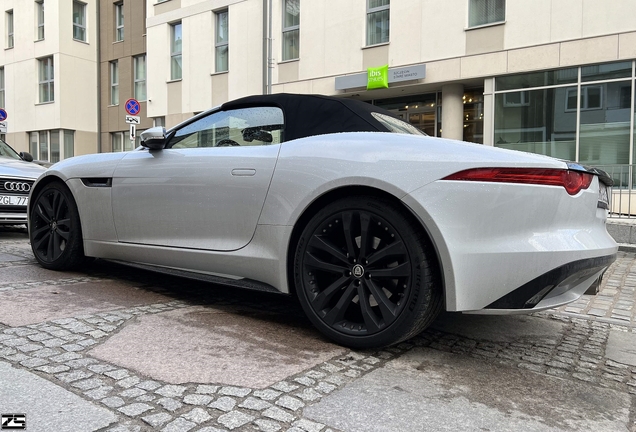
(48, 76)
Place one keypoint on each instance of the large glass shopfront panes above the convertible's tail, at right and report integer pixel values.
(582, 114)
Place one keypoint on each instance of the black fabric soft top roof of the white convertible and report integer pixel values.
(307, 115)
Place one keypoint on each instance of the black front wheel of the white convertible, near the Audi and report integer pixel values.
(54, 228)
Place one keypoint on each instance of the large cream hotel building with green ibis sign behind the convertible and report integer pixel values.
(554, 78)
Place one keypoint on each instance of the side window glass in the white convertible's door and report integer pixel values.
(241, 127)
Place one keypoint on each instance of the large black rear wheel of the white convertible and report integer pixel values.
(366, 275)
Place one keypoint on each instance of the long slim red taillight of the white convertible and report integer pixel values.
(572, 181)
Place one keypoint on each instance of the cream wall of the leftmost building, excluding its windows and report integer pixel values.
(75, 69)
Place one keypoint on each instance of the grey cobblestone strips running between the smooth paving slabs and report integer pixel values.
(57, 350)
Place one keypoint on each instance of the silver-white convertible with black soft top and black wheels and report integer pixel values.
(374, 226)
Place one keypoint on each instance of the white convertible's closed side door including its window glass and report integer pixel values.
(206, 189)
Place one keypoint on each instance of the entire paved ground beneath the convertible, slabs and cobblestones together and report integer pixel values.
(113, 348)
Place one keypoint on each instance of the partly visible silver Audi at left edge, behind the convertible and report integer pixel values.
(17, 175)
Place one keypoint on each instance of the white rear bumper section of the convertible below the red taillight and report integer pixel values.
(494, 239)
